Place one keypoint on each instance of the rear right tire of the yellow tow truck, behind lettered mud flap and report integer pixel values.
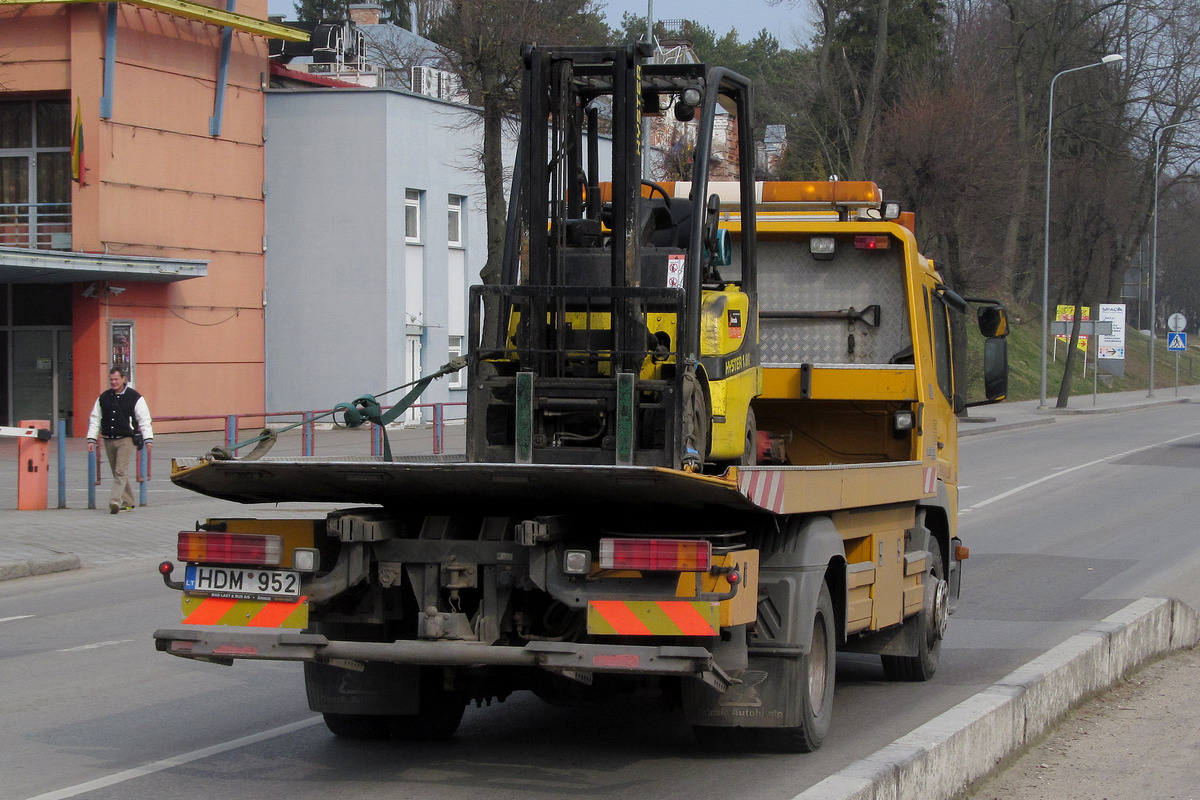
(815, 693)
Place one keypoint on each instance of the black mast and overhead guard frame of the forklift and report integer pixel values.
(596, 350)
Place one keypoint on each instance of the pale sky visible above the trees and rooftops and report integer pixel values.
(749, 19)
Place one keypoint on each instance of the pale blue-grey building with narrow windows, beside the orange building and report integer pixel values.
(375, 213)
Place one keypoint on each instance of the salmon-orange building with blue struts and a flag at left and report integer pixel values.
(131, 207)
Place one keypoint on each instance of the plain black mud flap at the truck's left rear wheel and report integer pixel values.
(380, 688)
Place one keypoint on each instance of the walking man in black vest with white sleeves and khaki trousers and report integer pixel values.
(123, 419)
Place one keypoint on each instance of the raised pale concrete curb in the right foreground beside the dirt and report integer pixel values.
(945, 756)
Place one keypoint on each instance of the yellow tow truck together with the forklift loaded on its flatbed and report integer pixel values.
(711, 443)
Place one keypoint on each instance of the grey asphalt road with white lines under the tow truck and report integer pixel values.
(1066, 524)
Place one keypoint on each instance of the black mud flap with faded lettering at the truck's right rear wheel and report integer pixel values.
(766, 697)
